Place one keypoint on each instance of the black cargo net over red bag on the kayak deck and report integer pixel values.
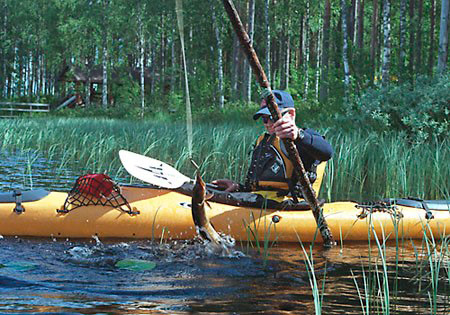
(96, 189)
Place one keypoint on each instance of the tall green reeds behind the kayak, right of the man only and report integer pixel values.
(387, 166)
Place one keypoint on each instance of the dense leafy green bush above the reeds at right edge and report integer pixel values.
(421, 110)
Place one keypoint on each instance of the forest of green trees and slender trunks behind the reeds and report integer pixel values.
(371, 64)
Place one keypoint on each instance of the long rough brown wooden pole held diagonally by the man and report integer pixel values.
(299, 169)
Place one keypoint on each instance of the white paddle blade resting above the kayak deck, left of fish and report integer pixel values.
(152, 171)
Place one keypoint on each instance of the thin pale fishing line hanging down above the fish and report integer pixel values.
(179, 11)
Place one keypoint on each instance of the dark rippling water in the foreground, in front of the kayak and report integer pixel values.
(68, 276)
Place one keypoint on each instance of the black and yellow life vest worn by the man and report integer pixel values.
(271, 168)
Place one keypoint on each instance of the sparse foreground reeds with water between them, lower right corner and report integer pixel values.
(389, 280)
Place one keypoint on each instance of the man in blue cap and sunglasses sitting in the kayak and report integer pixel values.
(270, 167)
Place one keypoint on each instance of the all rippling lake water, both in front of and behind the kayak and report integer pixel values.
(83, 276)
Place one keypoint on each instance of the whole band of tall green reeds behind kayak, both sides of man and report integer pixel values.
(365, 165)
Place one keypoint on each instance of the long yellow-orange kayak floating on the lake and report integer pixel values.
(153, 213)
